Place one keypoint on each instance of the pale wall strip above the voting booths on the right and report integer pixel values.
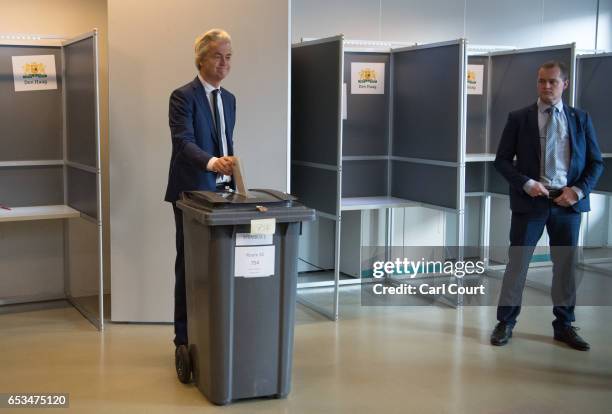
(521, 23)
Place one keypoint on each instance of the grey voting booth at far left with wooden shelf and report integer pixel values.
(50, 173)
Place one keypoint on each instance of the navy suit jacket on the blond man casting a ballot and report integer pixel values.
(194, 142)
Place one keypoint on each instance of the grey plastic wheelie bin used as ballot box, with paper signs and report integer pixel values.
(240, 328)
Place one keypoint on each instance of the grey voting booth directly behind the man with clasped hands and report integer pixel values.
(509, 84)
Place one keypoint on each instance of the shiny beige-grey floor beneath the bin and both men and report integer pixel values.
(383, 359)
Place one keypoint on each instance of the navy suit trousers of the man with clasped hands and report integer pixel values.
(563, 227)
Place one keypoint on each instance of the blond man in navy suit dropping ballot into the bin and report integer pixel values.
(202, 117)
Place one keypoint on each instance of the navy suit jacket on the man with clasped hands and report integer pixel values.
(521, 138)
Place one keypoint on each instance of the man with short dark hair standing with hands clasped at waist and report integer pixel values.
(558, 162)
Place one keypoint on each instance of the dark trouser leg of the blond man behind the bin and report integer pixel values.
(180, 299)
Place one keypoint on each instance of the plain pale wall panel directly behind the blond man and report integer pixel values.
(150, 54)
